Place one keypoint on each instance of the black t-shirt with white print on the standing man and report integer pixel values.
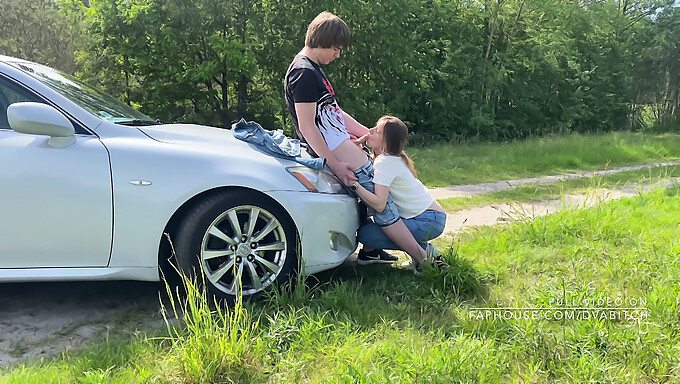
(306, 82)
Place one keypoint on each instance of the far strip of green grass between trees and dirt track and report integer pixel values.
(476, 163)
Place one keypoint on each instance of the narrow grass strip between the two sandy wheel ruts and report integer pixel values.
(551, 191)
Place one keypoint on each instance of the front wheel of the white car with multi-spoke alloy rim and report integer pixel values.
(237, 242)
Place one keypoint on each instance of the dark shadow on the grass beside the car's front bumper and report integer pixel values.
(375, 294)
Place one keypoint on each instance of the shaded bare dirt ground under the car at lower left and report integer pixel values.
(43, 319)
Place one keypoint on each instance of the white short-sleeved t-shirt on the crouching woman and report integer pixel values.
(409, 194)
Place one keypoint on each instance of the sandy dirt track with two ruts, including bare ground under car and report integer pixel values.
(42, 319)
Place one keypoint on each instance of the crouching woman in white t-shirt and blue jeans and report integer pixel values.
(396, 175)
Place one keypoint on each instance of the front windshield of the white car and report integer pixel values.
(91, 99)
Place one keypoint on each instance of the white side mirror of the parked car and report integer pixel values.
(41, 119)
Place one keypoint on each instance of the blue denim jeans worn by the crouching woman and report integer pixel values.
(424, 227)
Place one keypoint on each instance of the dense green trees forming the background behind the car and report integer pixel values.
(460, 69)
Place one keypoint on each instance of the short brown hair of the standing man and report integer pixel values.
(327, 31)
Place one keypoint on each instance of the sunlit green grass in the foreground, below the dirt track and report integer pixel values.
(382, 324)
